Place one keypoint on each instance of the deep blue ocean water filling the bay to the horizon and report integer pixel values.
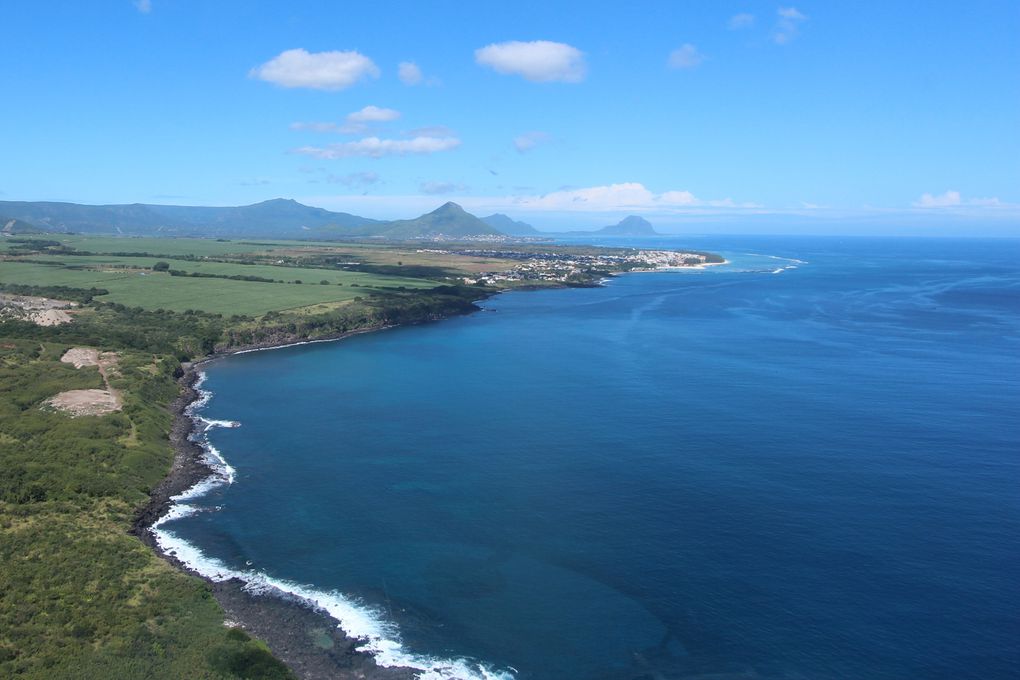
(806, 474)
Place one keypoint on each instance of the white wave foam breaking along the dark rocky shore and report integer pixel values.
(358, 620)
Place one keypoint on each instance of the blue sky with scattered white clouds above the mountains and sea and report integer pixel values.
(822, 118)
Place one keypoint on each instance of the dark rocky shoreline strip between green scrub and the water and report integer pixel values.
(303, 637)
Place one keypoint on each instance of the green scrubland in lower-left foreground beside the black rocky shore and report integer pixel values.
(79, 597)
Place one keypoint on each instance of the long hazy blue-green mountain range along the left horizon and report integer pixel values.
(278, 219)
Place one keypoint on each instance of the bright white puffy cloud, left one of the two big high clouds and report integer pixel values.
(317, 71)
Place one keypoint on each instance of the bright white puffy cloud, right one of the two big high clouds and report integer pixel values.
(540, 61)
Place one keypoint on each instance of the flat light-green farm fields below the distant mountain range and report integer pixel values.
(301, 275)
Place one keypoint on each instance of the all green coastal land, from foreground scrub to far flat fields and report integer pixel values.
(80, 598)
